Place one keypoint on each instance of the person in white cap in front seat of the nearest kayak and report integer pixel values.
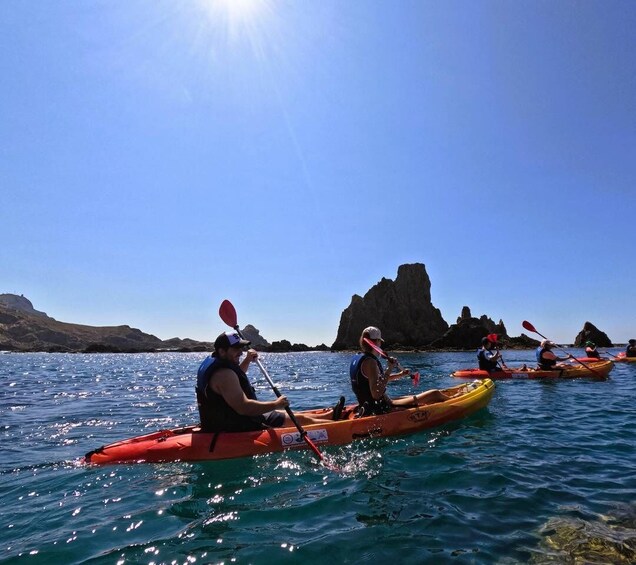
(369, 380)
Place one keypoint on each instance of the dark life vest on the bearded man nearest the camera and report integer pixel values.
(216, 415)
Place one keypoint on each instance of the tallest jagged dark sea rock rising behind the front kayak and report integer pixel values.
(402, 309)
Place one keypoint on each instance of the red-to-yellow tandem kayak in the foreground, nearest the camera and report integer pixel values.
(190, 444)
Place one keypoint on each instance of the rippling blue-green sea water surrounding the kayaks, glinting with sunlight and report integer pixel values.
(545, 474)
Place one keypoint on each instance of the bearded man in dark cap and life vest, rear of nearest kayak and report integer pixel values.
(226, 399)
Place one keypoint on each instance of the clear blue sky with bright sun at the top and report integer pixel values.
(158, 157)
